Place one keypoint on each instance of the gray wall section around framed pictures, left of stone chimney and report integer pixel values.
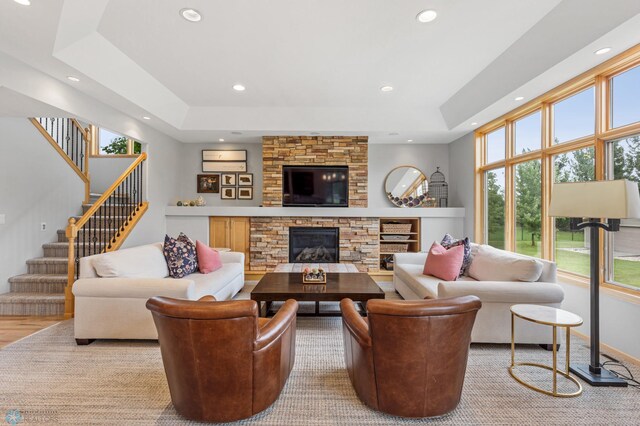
(190, 165)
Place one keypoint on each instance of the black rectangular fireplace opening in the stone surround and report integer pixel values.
(314, 245)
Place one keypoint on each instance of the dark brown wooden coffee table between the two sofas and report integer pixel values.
(280, 286)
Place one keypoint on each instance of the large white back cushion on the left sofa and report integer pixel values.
(138, 262)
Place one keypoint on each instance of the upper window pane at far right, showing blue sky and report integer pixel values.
(625, 98)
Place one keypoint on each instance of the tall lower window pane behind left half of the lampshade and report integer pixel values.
(571, 246)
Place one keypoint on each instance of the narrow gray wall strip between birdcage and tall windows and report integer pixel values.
(461, 160)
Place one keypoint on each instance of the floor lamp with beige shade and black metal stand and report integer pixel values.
(614, 200)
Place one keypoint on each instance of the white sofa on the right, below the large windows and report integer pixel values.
(493, 322)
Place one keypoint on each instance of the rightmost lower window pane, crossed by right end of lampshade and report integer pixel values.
(624, 253)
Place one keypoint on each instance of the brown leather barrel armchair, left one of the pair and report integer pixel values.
(222, 362)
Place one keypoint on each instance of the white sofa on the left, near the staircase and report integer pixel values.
(114, 307)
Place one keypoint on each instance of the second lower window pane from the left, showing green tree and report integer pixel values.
(528, 203)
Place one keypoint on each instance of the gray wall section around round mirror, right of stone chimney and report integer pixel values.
(385, 157)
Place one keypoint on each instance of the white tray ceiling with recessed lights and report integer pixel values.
(314, 65)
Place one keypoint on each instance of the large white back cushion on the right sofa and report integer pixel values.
(491, 264)
